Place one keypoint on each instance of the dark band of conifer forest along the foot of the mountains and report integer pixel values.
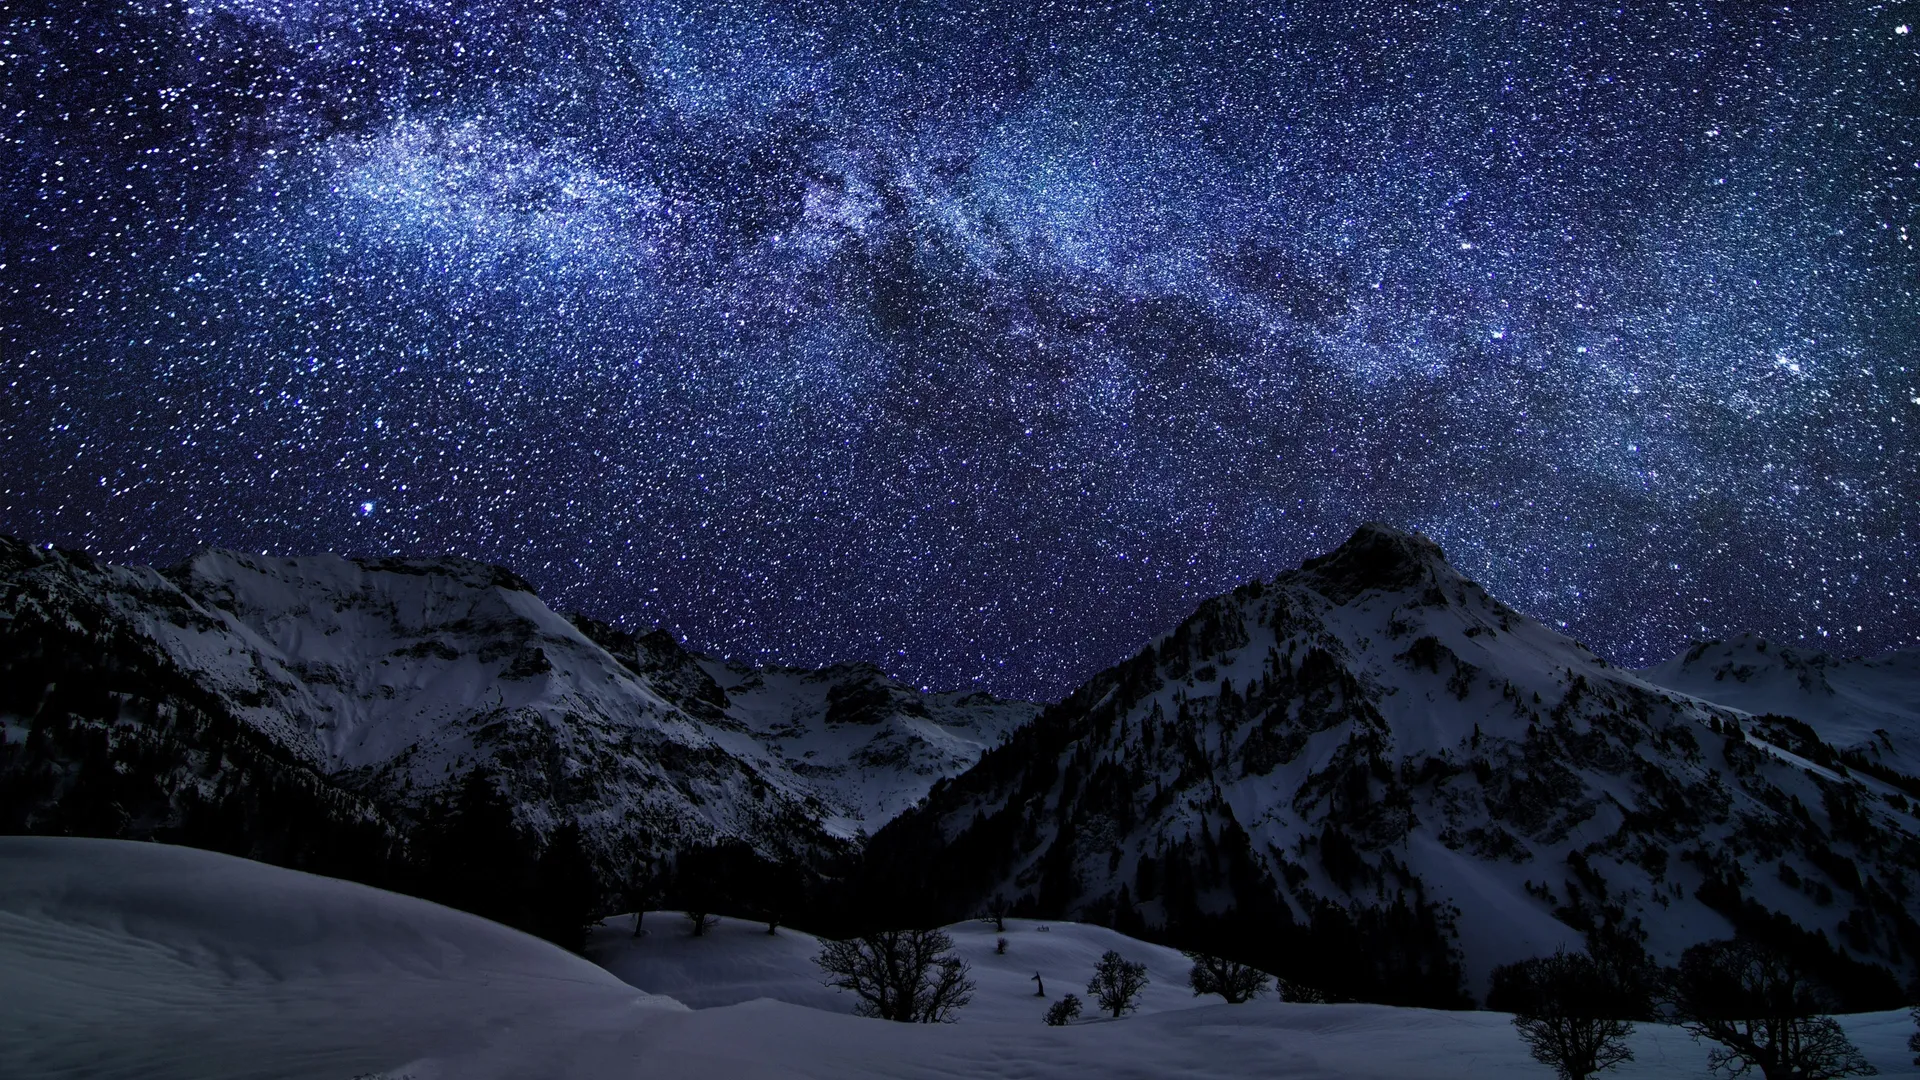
(124, 745)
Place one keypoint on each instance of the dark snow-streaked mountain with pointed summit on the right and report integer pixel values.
(1391, 783)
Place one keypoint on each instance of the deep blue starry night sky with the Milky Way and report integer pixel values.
(980, 339)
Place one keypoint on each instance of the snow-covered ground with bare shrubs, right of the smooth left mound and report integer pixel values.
(759, 996)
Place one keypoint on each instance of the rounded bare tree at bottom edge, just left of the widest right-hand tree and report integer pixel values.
(1573, 1016)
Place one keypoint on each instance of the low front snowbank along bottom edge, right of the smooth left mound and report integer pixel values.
(1211, 1043)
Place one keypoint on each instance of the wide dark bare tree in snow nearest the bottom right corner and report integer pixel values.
(1764, 1012)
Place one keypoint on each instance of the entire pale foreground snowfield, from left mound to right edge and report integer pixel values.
(130, 960)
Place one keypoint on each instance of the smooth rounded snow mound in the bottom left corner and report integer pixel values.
(151, 962)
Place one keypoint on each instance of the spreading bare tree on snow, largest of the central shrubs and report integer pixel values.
(900, 975)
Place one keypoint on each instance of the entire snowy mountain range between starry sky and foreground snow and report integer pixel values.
(1403, 777)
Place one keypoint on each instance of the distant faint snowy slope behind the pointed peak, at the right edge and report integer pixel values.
(1865, 704)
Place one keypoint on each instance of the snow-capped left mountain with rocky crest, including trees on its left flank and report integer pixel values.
(391, 681)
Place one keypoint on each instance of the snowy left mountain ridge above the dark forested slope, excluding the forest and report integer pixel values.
(398, 677)
